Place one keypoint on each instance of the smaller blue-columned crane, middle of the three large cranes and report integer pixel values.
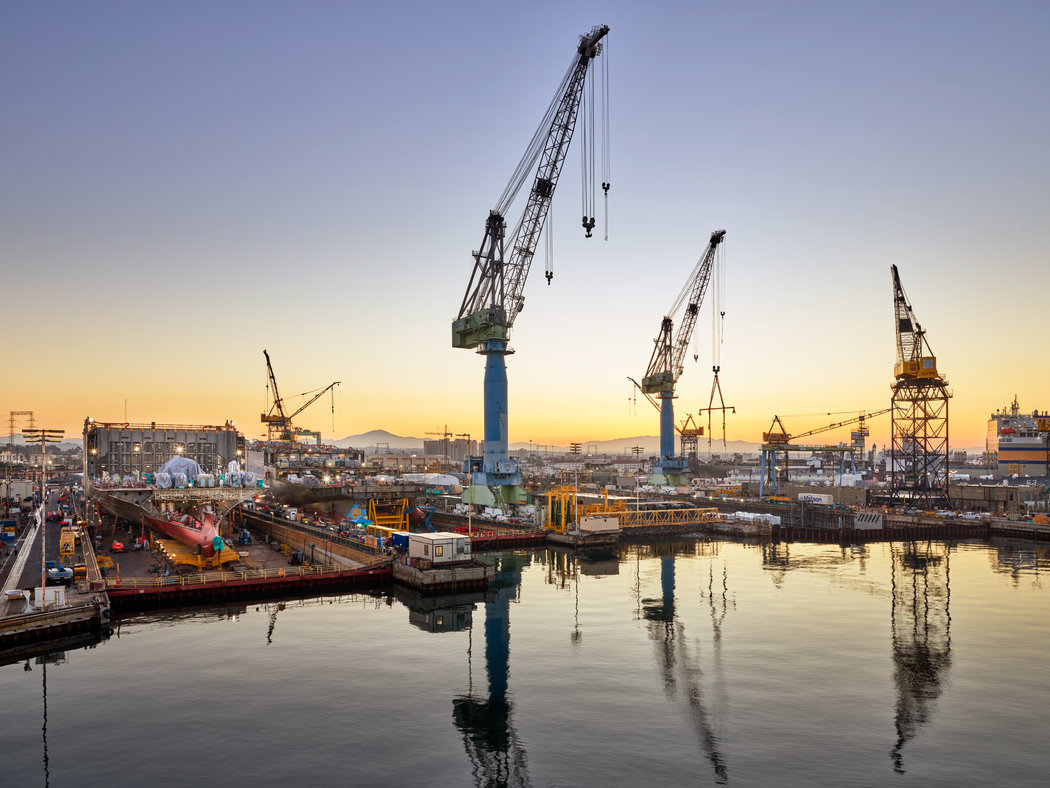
(668, 359)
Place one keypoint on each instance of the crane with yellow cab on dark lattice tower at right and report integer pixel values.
(919, 406)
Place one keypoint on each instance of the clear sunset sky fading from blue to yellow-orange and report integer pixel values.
(186, 184)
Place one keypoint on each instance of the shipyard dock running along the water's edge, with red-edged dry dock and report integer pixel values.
(279, 558)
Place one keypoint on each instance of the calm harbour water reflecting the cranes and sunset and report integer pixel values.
(689, 663)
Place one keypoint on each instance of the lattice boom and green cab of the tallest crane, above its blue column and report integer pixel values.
(495, 294)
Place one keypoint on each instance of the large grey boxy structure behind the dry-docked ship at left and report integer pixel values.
(128, 449)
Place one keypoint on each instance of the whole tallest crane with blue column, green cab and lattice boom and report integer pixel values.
(495, 293)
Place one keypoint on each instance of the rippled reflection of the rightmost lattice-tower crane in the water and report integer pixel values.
(921, 625)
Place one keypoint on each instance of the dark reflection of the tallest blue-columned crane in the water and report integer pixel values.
(497, 755)
